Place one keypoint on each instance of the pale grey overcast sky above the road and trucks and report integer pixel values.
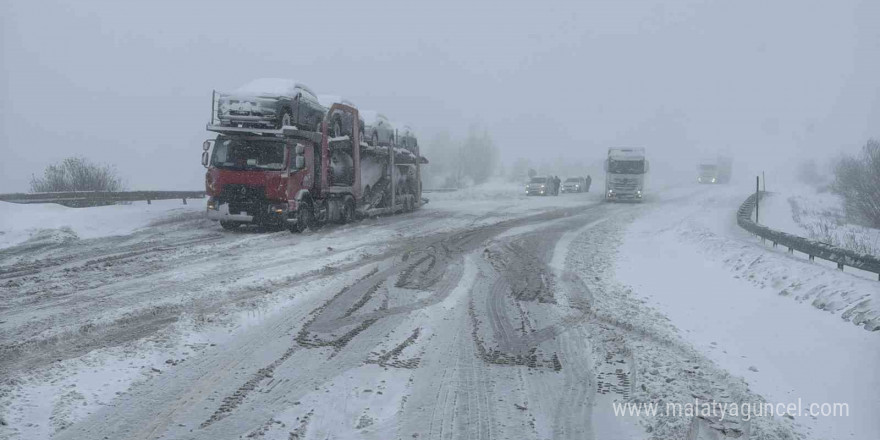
(129, 83)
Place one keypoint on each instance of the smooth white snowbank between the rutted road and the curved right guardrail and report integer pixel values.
(732, 298)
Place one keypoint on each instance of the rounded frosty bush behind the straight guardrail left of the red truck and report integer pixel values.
(77, 174)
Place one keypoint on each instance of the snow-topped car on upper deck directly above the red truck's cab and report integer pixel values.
(271, 103)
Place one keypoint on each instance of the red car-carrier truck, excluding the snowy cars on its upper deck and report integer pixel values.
(299, 179)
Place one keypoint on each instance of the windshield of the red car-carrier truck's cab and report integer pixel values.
(248, 154)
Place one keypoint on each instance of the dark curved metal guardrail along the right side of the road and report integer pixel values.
(813, 249)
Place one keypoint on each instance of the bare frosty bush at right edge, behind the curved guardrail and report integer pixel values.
(857, 180)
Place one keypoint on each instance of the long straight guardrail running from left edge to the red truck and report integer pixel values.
(93, 198)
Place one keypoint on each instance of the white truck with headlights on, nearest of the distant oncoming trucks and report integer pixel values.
(625, 172)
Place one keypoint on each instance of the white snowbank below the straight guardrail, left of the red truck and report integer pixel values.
(53, 222)
